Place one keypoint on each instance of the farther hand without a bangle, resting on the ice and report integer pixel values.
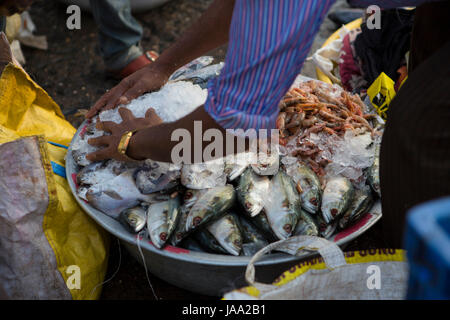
(147, 79)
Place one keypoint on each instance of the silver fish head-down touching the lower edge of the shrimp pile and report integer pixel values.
(308, 185)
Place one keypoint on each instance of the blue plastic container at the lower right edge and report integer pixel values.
(427, 241)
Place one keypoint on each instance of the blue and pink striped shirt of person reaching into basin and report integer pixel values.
(268, 43)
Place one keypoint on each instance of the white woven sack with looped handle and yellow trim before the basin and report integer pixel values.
(377, 274)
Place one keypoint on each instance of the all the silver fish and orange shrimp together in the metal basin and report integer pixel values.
(235, 205)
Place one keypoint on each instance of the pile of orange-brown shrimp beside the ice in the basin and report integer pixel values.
(320, 108)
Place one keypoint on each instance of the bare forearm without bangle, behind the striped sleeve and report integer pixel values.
(208, 32)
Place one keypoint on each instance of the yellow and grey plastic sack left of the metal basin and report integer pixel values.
(64, 251)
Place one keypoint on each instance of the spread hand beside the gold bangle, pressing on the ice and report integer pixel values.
(111, 142)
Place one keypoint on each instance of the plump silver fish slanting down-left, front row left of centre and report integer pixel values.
(210, 206)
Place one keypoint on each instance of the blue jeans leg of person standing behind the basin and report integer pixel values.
(119, 32)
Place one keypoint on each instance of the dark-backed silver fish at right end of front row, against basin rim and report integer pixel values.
(362, 201)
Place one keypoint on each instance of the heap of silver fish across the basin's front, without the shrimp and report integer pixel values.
(238, 215)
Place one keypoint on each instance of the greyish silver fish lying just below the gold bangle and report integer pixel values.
(156, 176)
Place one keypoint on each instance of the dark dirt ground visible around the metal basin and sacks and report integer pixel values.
(72, 72)
